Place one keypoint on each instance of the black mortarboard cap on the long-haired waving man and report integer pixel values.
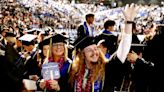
(84, 42)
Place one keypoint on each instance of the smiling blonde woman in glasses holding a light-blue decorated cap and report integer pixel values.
(58, 54)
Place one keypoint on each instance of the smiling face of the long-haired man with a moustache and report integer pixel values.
(91, 53)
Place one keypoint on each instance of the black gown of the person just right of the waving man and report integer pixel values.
(139, 74)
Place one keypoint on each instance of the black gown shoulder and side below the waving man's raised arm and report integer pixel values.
(114, 72)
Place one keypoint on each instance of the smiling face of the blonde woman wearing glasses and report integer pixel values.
(58, 49)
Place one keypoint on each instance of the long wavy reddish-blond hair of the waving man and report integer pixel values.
(79, 63)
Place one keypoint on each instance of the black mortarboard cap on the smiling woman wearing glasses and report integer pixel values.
(59, 38)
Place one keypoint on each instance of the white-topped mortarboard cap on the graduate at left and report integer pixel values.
(28, 39)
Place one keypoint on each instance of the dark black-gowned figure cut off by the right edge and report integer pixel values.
(153, 53)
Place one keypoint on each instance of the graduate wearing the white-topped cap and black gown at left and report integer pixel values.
(29, 54)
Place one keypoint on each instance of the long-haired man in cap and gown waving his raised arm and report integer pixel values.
(90, 72)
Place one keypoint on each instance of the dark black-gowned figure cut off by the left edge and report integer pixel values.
(11, 74)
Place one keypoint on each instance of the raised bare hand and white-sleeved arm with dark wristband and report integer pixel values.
(129, 13)
